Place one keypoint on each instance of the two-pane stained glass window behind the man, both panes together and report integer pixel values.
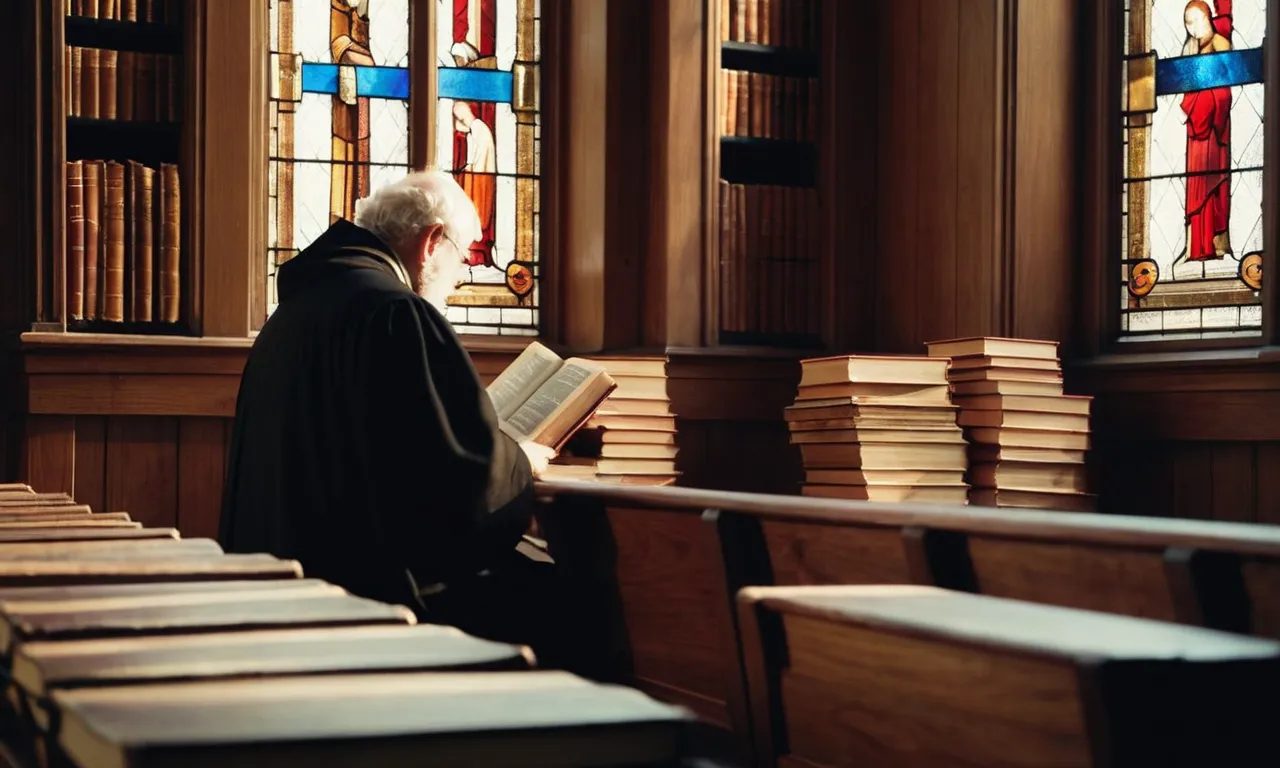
(340, 127)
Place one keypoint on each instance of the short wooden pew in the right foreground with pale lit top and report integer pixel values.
(920, 676)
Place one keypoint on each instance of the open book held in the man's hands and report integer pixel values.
(545, 399)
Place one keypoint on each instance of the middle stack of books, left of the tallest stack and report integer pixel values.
(879, 429)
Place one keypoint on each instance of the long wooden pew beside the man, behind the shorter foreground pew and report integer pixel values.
(674, 559)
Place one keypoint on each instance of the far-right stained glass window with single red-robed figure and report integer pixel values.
(1192, 199)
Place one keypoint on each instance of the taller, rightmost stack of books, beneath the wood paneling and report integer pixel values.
(1028, 440)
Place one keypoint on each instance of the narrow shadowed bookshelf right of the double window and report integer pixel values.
(769, 248)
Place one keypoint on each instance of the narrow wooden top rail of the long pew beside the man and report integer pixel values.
(1117, 531)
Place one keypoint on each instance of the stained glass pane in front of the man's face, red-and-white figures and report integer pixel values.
(490, 135)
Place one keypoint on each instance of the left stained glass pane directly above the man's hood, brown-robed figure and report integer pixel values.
(339, 113)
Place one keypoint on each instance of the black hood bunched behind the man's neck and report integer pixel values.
(342, 248)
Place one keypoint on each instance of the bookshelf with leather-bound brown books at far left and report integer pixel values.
(120, 258)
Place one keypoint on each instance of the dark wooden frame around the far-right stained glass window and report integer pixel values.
(1101, 179)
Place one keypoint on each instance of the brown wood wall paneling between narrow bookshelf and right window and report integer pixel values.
(977, 173)
